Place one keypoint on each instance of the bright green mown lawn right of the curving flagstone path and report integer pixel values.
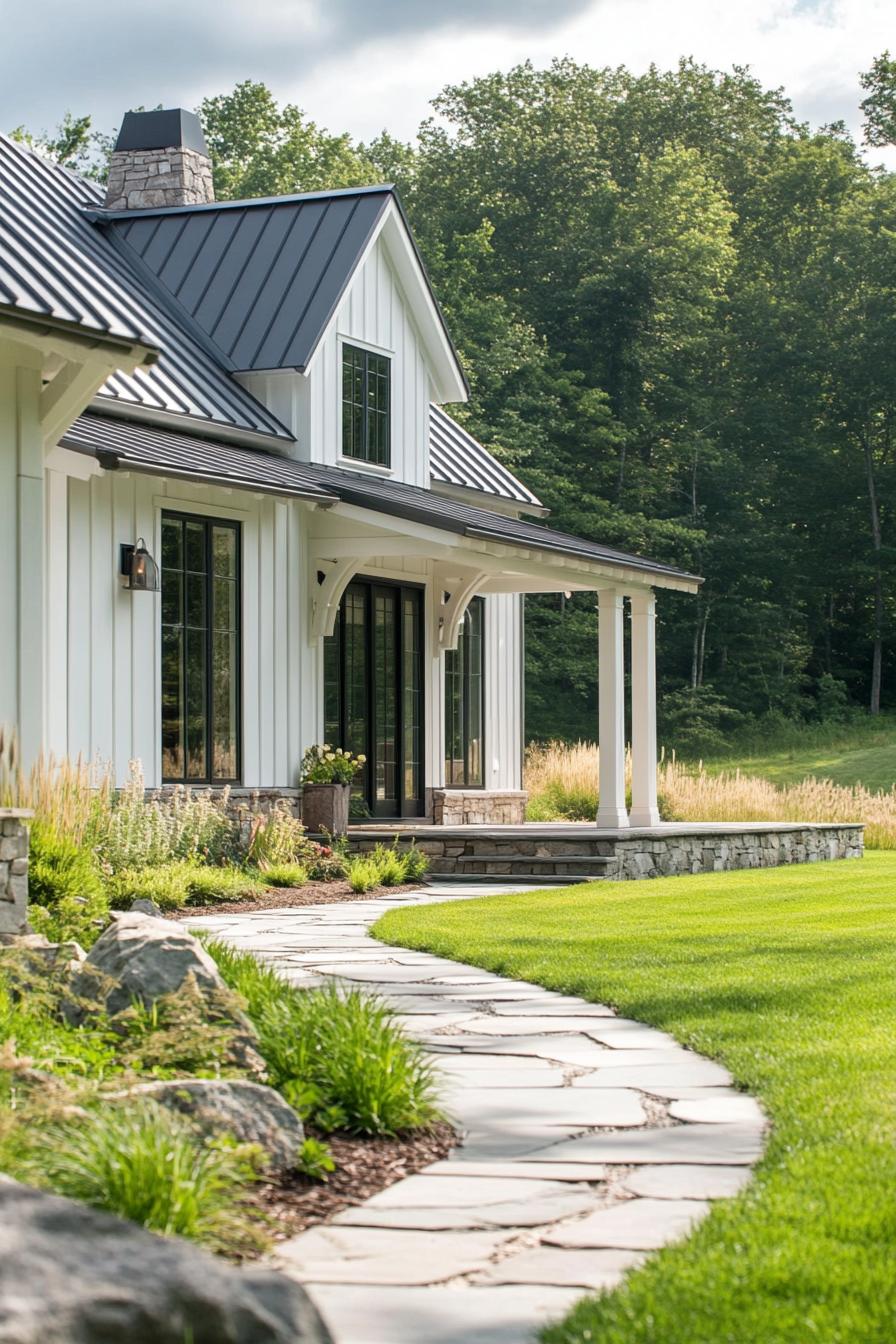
(788, 978)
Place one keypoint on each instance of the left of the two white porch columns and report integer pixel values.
(612, 810)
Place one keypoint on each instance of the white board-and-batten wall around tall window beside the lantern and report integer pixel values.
(104, 643)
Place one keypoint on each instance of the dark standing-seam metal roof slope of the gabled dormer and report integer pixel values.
(261, 279)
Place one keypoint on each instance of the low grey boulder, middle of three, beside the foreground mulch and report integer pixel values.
(252, 1114)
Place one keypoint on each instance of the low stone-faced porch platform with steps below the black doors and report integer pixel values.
(578, 851)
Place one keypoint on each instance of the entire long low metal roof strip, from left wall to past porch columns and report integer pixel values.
(178, 455)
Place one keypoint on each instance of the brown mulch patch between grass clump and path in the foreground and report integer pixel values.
(363, 1169)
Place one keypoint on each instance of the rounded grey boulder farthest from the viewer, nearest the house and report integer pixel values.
(143, 959)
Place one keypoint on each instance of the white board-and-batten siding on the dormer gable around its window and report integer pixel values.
(374, 314)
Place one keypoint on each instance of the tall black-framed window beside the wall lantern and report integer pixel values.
(201, 650)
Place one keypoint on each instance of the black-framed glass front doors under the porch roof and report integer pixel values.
(374, 694)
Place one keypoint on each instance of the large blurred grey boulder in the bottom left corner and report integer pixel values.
(71, 1275)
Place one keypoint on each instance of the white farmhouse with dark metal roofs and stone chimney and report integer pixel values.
(236, 518)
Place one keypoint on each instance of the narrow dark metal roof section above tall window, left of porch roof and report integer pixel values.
(126, 444)
